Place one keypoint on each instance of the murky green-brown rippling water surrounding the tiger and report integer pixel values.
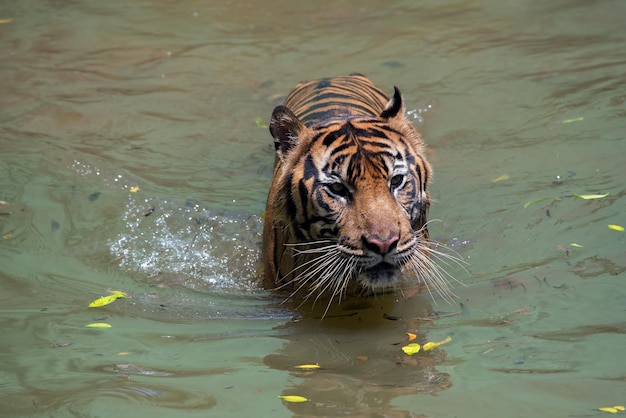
(132, 159)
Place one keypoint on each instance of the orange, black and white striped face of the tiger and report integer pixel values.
(360, 199)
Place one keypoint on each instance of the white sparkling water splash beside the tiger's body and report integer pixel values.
(190, 245)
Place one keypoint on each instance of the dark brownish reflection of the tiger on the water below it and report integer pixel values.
(358, 349)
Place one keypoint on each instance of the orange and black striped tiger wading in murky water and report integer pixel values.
(348, 203)
